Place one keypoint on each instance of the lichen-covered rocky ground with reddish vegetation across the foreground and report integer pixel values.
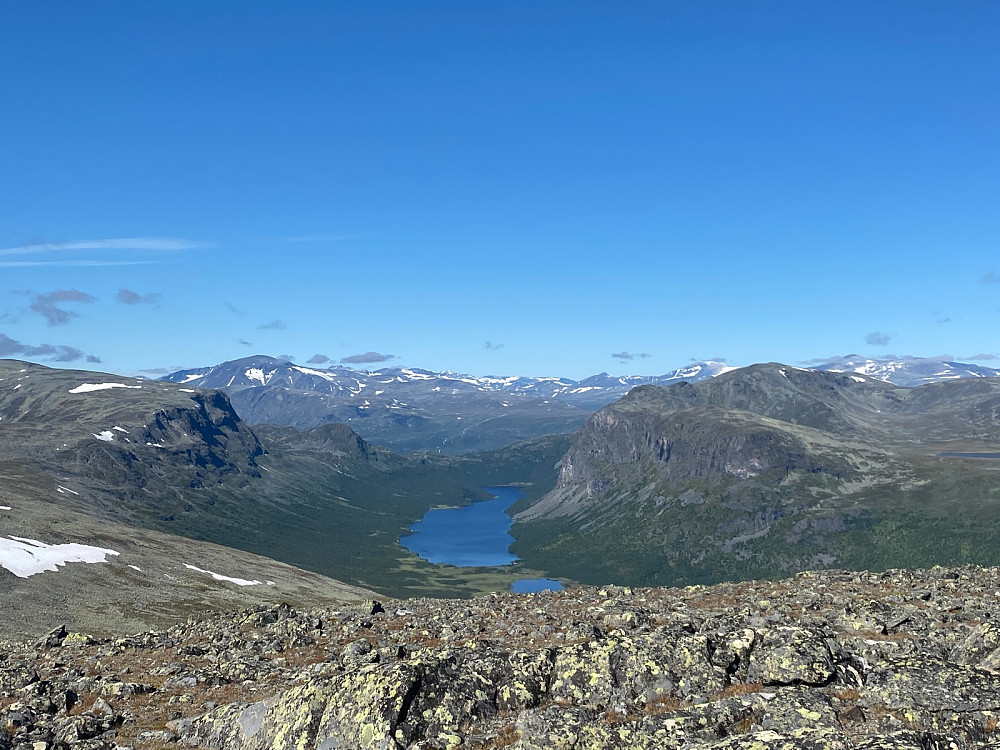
(824, 660)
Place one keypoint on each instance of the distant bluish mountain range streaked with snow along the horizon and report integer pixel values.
(411, 409)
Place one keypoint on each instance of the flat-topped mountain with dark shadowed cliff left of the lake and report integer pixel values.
(145, 451)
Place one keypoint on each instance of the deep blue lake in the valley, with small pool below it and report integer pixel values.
(476, 535)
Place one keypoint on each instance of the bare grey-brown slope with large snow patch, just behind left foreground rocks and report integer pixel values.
(62, 565)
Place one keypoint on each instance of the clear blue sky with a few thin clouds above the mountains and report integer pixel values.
(512, 187)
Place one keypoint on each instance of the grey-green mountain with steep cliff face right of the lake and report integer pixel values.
(768, 470)
